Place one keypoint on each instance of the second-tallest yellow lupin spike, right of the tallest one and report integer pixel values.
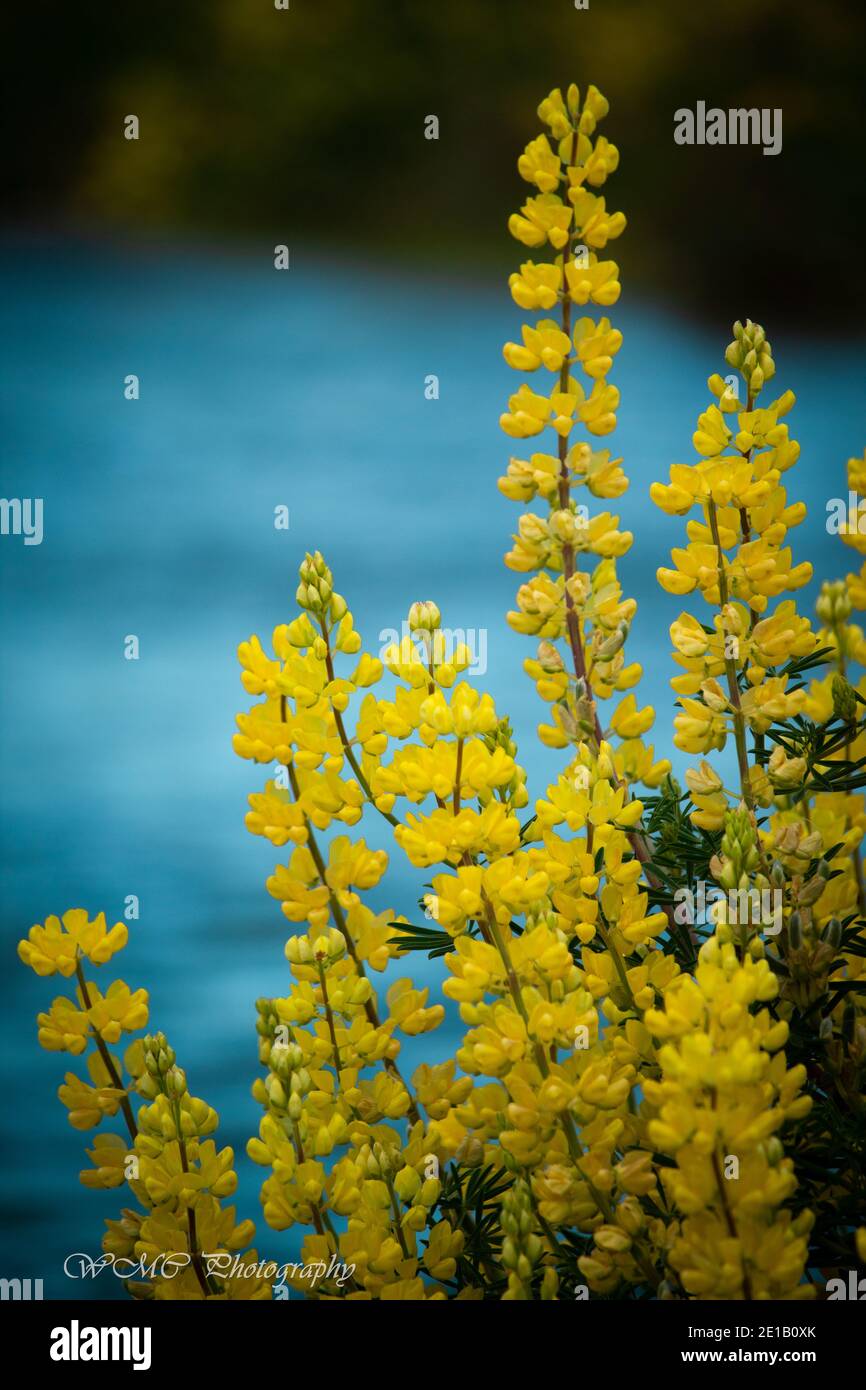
(739, 561)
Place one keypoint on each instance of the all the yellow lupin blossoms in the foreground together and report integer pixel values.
(621, 1113)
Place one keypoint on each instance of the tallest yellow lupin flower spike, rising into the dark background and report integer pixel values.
(561, 603)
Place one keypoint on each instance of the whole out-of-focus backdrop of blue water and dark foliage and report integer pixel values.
(307, 390)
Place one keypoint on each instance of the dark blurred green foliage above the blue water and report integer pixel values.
(309, 126)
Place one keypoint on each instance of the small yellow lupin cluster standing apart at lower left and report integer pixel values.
(180, 1232)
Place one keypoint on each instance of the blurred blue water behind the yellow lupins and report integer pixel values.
(259, 389)
